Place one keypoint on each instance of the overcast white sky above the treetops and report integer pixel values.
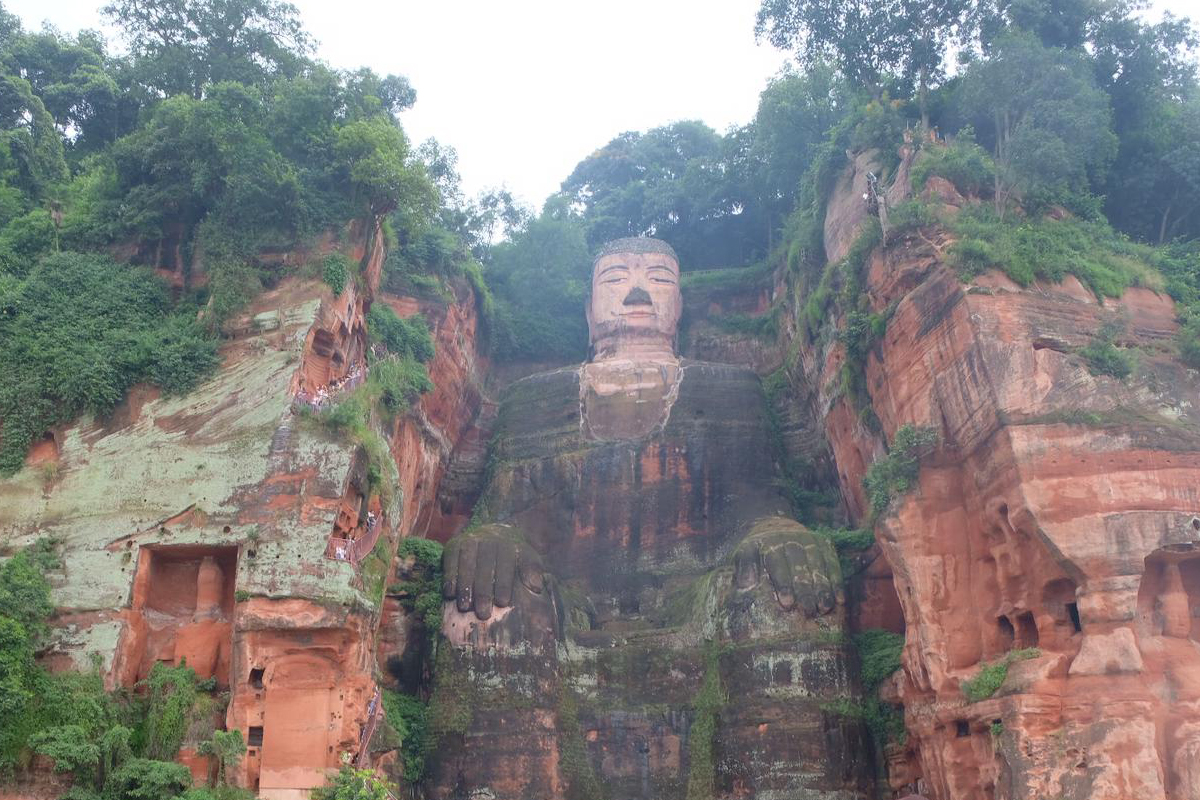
(526, 89)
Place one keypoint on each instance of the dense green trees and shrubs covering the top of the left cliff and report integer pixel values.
(213, 139)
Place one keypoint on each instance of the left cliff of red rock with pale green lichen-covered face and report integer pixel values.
(207, 528)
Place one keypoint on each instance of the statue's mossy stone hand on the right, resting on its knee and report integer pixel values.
(801, 567)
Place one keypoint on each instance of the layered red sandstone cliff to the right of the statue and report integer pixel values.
(1059, 513)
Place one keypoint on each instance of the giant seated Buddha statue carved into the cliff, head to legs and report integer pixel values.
(634, 613)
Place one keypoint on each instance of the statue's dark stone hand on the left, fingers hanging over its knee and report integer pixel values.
(490, 568)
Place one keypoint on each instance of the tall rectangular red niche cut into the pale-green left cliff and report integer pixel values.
(182, 611)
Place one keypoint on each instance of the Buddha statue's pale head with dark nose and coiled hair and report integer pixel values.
(635, 303)
